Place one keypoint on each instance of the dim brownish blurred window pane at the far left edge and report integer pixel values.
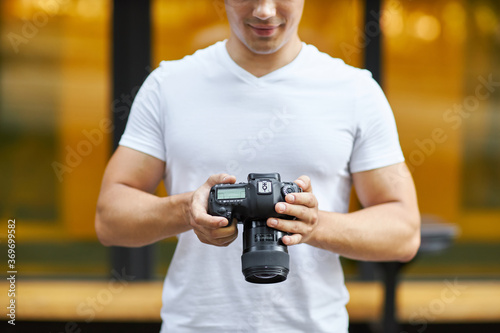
(28, 129)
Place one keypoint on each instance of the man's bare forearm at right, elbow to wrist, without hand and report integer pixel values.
(385, 232)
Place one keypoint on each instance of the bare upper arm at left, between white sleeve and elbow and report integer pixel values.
(135, 169)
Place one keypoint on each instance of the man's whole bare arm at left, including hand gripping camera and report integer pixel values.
(129, 214)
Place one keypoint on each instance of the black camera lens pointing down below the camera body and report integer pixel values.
(265, 258)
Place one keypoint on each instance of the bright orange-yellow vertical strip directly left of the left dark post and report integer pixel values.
(85, 119)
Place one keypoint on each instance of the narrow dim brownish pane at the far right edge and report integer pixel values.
(482, 107)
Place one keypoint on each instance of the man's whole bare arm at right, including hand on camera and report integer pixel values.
(386, 229)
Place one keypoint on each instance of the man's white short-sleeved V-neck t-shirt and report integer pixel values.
(316, 116)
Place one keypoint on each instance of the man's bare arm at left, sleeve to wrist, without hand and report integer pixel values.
(128, 213)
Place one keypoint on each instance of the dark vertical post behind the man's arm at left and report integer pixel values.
(131, 61)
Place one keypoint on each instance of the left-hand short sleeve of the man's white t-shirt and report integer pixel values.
(144, 126)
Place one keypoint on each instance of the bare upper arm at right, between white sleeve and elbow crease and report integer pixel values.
(392, 183)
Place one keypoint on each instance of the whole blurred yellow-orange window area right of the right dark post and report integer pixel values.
(442, 78)
